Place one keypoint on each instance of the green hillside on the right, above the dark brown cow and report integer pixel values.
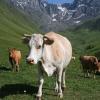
(88, 37)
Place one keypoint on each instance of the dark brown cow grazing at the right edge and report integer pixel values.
(90, 64)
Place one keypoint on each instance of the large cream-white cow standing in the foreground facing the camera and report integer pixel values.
(53, 53)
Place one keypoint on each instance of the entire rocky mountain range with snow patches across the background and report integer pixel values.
(58, 17)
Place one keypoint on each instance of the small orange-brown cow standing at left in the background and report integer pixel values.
(14, 58)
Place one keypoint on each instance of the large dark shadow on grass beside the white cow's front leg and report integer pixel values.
(13, 89)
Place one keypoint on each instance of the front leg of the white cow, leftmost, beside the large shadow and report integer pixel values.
(41, 81)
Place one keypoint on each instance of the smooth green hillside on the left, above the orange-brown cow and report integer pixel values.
(13, 24)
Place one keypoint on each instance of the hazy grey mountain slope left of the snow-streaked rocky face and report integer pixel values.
(35, 9)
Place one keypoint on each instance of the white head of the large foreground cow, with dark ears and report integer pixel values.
(36, 44)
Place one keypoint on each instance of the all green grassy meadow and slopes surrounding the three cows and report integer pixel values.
(85, 39)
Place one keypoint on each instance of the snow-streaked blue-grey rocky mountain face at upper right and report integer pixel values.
(75, 13)
